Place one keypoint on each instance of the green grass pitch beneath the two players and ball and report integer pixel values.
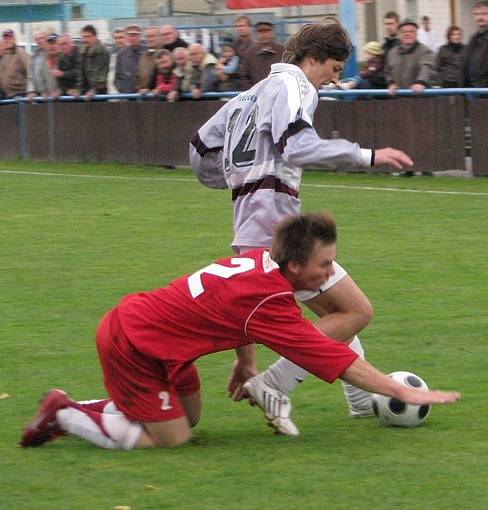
(75, 238)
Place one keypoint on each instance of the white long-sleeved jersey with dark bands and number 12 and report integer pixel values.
(257, 145)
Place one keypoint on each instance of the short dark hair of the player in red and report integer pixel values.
(295, 238)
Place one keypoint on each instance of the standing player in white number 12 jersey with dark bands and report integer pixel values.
(257, 145)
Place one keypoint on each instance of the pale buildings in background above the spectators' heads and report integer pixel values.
(215, 17)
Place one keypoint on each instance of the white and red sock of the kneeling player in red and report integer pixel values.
(107, 430)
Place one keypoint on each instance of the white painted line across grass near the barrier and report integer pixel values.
(329, 186)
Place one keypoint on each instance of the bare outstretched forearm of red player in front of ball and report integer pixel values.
(360, 373)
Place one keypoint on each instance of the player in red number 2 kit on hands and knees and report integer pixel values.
(148, 343)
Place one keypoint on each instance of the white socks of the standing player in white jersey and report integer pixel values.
(285, 376)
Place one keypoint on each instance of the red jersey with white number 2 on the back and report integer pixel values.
(230, 303)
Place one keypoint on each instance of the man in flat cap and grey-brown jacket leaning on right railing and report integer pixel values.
(411, 64)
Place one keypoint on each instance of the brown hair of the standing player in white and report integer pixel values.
(322, 40)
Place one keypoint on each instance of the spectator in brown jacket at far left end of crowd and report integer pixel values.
(13, 67)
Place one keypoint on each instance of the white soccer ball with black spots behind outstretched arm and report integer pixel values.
(394, 412)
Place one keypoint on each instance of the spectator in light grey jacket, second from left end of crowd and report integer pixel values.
(40, 79)
